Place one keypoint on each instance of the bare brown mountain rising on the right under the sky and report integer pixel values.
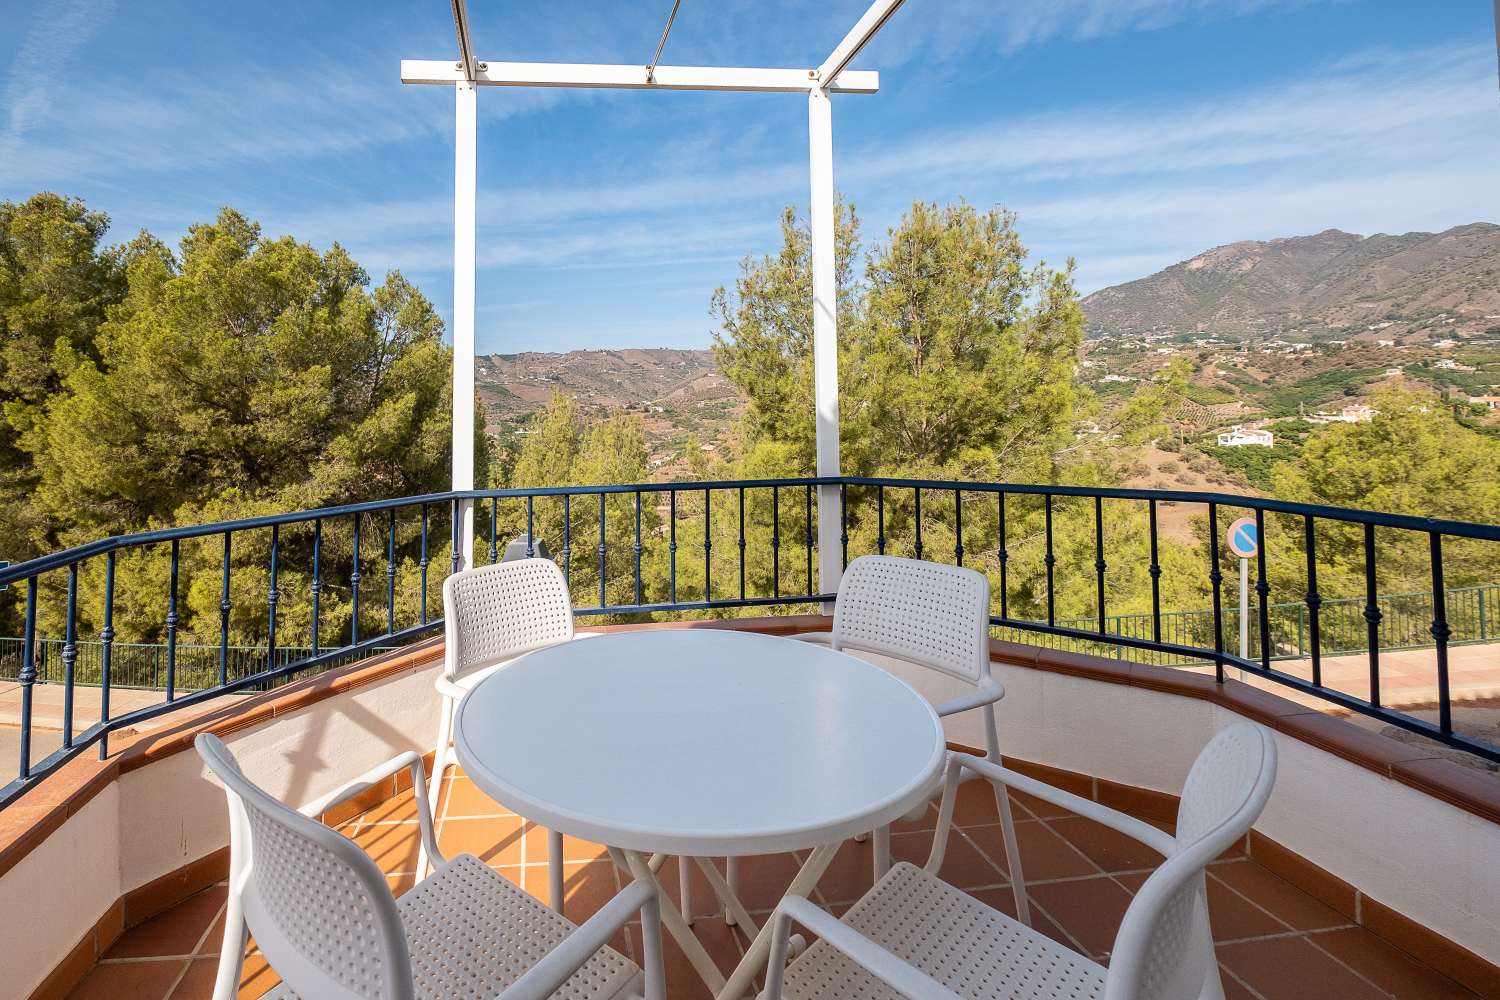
(1330, 283)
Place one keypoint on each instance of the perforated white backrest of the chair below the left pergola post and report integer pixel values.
(502, 611)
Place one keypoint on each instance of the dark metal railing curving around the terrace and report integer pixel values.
(247, 605)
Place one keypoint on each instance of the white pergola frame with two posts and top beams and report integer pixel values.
(469, 74)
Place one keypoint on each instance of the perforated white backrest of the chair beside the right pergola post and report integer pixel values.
(923, 612)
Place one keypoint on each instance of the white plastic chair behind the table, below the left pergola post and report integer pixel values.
(491, 617)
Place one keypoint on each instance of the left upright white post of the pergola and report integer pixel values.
(464, 224)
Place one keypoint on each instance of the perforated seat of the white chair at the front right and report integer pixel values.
(968, 947)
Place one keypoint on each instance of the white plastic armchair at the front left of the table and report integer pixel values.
(328, 923)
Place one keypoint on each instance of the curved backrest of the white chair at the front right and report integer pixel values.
(1165, 948)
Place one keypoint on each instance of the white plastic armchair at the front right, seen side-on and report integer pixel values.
(916, 936)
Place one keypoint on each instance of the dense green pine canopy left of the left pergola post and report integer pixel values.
(233, 377)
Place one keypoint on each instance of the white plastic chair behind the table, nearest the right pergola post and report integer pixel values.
(935, 617)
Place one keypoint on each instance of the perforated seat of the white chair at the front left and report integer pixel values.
(473, 935)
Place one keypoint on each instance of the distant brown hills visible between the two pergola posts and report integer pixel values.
(677, 392)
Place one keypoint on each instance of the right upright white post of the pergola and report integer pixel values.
(826, 335)
